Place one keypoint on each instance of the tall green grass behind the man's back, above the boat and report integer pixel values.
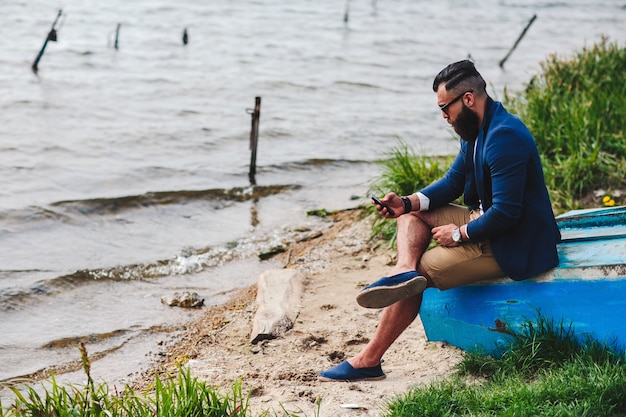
(576, 110)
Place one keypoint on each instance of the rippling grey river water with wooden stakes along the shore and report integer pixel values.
(124, 172)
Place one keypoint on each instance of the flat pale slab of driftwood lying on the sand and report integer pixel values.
(279, 293)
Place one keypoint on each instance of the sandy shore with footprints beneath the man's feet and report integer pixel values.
(330, 327)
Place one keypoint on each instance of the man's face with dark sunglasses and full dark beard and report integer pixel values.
(464, 120)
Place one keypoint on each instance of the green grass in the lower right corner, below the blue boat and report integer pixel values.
(546, 372)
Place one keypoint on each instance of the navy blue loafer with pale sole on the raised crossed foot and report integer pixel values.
(389, 290)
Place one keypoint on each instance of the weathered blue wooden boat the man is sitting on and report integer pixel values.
(587, 291)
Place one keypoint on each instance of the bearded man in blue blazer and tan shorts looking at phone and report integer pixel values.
(506, 228)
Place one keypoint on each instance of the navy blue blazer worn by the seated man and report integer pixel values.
(505, 176)
